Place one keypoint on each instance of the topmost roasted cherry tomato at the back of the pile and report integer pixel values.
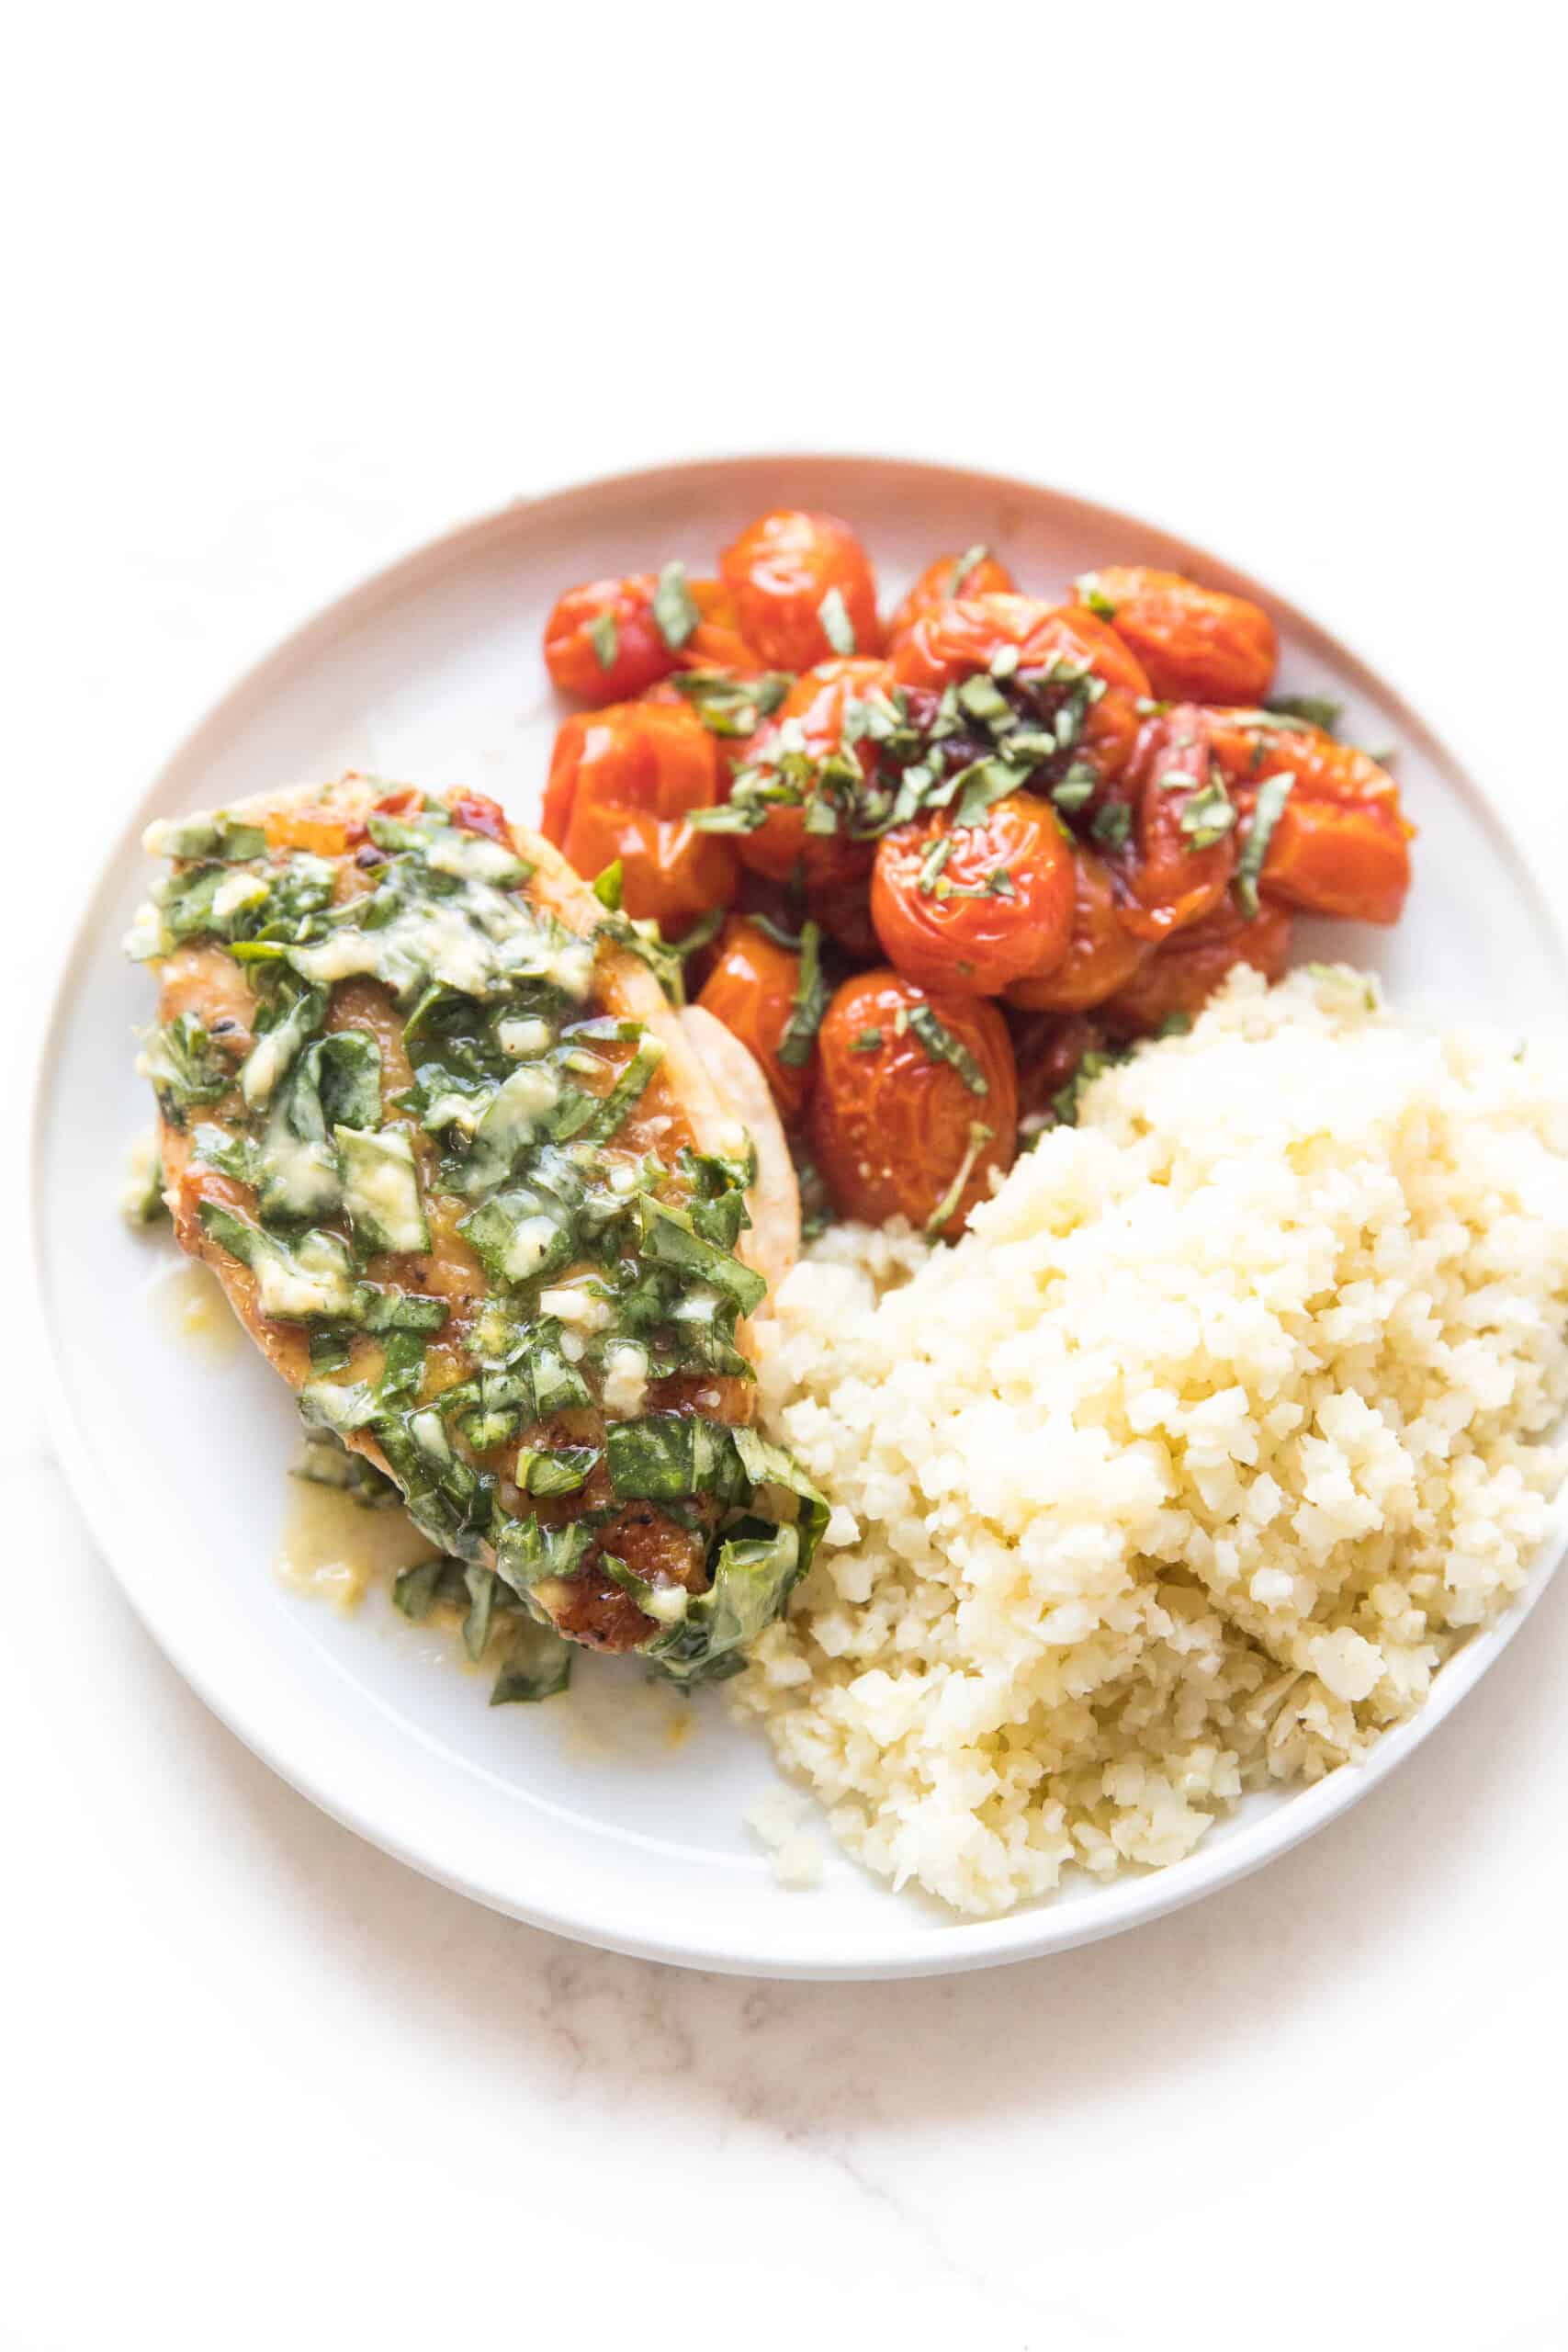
(779, 575)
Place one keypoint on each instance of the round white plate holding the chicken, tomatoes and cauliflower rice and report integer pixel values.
(587, 1815)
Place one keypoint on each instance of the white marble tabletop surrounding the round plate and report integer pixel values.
(302, 290)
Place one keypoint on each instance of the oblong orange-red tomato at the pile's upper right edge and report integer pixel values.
(1198, 646)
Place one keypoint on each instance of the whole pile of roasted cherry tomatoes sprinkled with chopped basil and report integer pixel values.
(956, 853)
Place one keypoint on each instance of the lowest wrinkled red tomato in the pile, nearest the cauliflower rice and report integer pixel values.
(916, 1102)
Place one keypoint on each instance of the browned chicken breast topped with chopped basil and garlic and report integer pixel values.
(490, 1205)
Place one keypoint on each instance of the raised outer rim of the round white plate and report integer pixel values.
(913, 1951)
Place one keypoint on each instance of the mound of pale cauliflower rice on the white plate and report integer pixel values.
(1186, 1469)
